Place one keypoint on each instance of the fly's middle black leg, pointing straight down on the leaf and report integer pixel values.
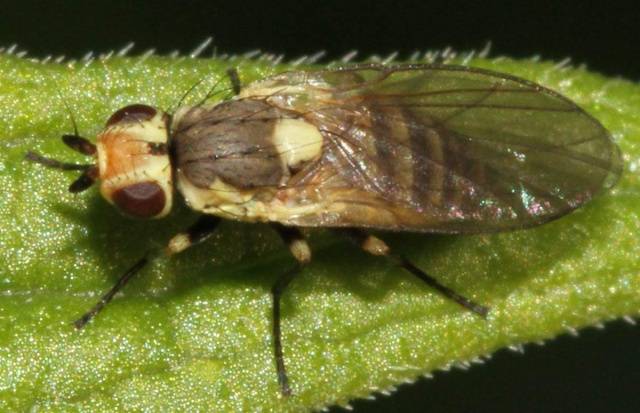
(302, 253)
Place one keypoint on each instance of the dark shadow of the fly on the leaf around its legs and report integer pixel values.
(240, 254)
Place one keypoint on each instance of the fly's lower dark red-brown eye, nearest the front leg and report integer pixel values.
(141, 200)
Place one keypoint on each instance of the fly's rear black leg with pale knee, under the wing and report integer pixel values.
(376, 246)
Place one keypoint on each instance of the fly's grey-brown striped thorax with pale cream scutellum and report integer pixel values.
(232, 158)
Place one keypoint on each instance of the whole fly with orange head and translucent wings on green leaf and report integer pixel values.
(423, 148)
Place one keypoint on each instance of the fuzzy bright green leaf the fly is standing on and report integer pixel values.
(193, 333)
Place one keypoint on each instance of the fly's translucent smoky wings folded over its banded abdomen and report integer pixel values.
(443, 149)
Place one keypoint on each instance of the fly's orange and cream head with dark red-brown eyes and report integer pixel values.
(134, 163)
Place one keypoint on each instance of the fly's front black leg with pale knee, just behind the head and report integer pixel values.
(198, 232)
